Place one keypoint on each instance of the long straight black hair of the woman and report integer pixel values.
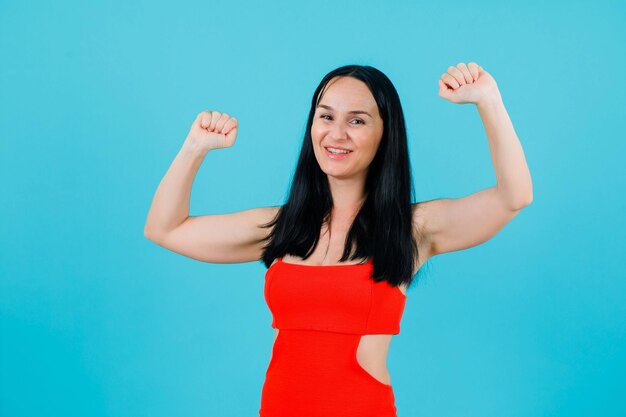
(383, 226)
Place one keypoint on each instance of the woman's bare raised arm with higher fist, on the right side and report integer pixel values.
(451, 224)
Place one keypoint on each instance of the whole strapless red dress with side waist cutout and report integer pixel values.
(321, 312)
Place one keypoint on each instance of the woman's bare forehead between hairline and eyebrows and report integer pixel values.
(348, 93)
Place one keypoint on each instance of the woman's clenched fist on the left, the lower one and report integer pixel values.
(213, 130)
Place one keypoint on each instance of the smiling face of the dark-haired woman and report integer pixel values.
(346, 118)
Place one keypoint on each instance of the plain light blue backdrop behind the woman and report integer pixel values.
(96, 99)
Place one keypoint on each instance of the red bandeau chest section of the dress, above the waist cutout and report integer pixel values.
(338, 298)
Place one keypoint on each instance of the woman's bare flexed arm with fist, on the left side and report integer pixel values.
(220, 238)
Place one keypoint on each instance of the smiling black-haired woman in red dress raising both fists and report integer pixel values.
(343, 249)
